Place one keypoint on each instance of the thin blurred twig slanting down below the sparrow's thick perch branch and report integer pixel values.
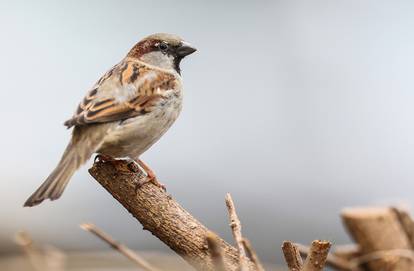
(138, 260)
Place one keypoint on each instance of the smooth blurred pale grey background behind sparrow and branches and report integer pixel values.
(298, 108)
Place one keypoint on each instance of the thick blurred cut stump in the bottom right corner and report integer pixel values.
(379, 229)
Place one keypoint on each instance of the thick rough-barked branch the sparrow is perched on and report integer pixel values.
(159, 213)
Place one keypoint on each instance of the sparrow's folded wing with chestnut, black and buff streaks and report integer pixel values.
(129, 89)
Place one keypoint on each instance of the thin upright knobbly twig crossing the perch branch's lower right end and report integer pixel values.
(236, 229)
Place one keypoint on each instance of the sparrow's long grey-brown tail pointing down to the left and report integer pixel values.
(84, 143)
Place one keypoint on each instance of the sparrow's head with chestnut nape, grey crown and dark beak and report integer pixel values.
(162, 50)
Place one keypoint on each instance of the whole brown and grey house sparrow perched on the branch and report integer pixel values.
(126, 111)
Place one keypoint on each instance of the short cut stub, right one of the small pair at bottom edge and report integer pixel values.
(318, 252)
